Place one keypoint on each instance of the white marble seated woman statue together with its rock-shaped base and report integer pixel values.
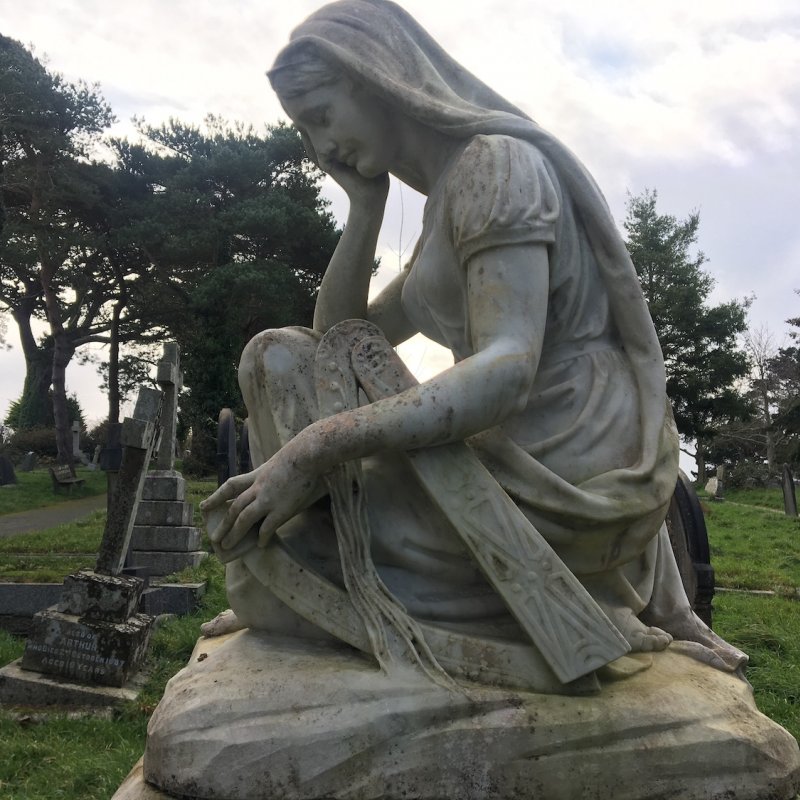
(461, 588)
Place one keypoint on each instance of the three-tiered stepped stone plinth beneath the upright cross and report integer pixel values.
(164, 540)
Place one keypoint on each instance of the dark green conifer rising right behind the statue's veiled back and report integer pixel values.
(699, 341)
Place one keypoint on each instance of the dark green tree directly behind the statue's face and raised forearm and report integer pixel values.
(236, 240)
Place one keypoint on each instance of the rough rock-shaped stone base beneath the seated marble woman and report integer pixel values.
(254, 716)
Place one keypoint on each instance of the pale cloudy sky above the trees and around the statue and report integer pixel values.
(697, 100)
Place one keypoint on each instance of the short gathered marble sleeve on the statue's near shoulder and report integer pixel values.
(500, 193)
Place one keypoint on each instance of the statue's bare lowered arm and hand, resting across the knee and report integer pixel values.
(507, 299)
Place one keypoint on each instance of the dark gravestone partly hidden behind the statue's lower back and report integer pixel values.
(689, 539)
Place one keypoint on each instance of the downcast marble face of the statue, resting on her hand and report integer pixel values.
(346, 125)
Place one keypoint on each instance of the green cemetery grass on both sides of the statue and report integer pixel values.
(64, 754)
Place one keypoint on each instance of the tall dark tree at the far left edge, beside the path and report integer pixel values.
(48, 264)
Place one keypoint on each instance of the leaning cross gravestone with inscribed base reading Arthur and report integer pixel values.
(94, 635)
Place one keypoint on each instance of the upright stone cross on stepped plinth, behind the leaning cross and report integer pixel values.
(165, 539)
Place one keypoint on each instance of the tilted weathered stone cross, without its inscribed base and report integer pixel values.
(139, 439)
